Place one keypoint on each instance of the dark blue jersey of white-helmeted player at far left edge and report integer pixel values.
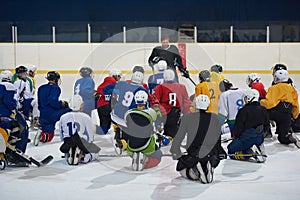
(7, 101)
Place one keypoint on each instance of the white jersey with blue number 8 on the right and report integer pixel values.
(230, 102)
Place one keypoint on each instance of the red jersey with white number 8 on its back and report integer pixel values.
(171, 95)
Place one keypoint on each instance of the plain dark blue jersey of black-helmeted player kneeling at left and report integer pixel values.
(48, 95)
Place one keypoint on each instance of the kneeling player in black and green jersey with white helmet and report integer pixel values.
(139, 134)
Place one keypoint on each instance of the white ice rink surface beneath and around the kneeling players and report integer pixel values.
(112, 177)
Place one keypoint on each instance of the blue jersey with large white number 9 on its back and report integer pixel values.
(124, 93)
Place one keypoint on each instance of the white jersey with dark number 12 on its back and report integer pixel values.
(76, 122)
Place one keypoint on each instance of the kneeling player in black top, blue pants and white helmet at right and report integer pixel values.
(251, 122)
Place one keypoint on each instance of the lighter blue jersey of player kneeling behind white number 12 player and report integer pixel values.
(85, 87)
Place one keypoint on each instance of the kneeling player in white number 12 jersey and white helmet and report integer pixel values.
(77, 133)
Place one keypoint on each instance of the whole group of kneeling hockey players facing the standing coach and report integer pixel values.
(148, 117)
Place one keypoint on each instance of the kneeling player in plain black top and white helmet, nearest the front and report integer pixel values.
(203, 132)
